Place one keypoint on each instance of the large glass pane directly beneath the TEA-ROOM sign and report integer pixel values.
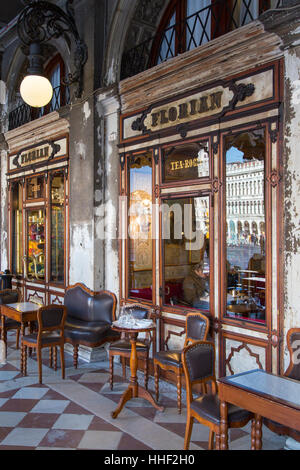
(186, 266)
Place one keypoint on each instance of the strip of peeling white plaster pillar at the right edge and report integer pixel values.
(291, 165)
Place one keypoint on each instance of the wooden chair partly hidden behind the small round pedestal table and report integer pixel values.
(122, 347)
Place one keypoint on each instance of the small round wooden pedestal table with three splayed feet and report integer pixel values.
(134, 390)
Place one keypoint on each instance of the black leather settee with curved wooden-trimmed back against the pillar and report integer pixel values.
(89, 319)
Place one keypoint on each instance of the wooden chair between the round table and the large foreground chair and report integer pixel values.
(197, 325)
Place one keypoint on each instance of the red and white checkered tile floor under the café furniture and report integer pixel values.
(75, 413)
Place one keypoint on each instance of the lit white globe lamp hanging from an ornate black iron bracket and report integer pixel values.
(38, 23)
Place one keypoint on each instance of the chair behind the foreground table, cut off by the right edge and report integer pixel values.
(292, 372)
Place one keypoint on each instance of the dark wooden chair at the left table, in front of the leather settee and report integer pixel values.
(51, 321)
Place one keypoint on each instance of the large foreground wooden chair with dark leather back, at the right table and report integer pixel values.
(198, 361)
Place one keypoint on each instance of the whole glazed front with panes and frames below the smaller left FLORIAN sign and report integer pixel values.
(38, 216)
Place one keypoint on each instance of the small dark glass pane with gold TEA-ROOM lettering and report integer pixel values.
(186, 162)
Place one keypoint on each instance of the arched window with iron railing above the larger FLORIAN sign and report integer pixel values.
(187, 24)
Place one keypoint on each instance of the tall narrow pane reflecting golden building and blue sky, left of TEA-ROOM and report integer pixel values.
(140, 227)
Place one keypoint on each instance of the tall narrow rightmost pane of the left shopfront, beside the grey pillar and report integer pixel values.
(57, 195)
